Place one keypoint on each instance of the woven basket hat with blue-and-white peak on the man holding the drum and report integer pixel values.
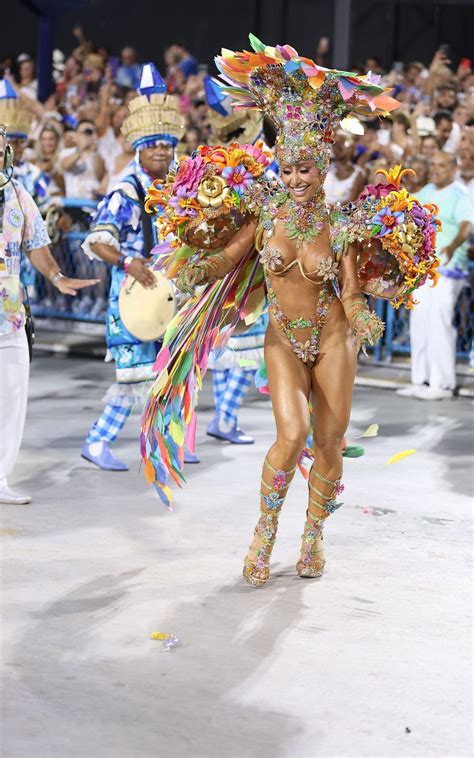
(154, 116)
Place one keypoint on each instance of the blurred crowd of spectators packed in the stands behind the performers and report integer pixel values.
(78, 150)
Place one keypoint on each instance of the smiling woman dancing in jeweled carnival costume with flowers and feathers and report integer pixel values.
(306, 263)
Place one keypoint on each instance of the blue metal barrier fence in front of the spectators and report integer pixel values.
(90, 306)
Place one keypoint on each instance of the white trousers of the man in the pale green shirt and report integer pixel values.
(432, 334)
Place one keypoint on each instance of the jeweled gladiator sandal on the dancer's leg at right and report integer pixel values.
(311, 563)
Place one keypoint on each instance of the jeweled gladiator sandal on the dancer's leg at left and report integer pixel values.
(256, 566)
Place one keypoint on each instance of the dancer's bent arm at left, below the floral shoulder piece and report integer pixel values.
(217, 265)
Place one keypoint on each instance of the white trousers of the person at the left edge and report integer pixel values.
(14, 372)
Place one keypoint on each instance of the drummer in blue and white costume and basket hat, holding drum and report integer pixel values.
(123, 235)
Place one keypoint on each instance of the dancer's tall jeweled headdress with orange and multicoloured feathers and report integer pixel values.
(305, 101)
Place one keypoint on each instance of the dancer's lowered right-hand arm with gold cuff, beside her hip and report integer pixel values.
(365, 324)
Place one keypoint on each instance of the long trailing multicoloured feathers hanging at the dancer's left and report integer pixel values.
(202, 325)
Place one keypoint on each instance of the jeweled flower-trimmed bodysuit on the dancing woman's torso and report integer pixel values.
(313, 291)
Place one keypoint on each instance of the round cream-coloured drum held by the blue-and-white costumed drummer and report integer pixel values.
(146, 313)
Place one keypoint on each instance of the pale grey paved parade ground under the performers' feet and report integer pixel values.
(370, 661)
